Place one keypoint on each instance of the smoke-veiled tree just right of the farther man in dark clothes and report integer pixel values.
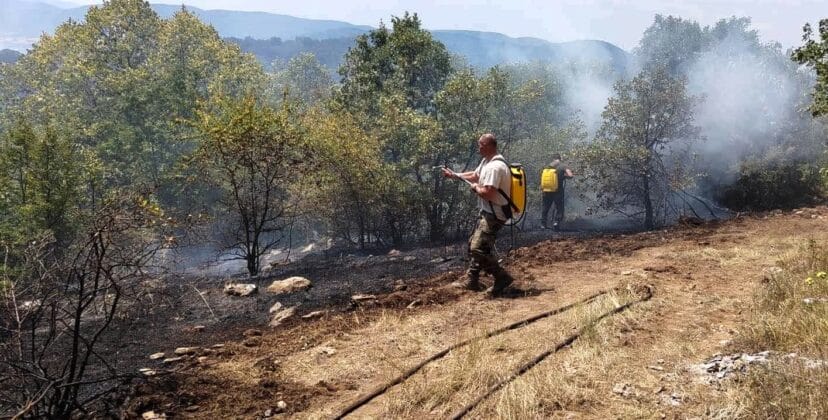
(639, 157)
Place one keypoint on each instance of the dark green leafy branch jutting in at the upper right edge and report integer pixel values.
(814, 53)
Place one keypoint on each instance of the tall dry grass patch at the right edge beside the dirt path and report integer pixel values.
(783, 321)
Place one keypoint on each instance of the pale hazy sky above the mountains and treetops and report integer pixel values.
(618, 21)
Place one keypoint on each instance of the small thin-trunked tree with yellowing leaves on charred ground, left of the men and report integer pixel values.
(253, 154)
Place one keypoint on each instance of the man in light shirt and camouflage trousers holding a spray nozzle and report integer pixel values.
(490, 176)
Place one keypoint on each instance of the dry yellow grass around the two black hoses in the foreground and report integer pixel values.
(545, 391)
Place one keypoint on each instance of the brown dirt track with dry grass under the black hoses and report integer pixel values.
(704, 278)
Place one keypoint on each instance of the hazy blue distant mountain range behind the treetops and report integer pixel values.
(22, 22)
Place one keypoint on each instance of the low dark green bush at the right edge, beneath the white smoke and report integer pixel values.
(764, 184)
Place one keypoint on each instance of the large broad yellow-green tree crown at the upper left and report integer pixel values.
(117, 82)
